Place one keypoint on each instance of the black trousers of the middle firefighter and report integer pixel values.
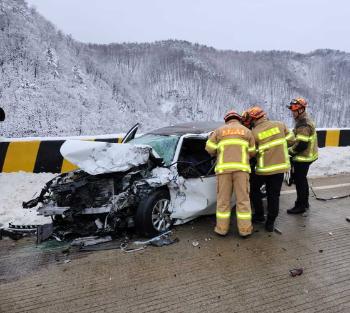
(273, 190)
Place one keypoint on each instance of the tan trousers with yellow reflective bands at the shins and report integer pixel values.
(237, 183)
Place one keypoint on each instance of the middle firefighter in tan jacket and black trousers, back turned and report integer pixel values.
(272, 139)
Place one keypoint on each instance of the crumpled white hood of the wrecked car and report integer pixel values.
(103, 157)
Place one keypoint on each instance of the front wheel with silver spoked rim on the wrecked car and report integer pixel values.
(153, 215)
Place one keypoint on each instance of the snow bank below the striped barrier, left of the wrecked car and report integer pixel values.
(16, 188)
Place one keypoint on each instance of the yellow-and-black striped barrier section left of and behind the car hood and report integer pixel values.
(37, 156)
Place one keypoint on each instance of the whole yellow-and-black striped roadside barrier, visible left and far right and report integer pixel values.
(37, 155)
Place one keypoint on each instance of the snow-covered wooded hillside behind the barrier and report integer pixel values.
(51, 84)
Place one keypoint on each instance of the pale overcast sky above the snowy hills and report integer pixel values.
(297, 25)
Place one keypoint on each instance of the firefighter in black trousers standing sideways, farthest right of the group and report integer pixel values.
(303, 153)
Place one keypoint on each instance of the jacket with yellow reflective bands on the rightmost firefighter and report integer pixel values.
(305, 131)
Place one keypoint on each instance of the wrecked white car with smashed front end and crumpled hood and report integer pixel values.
(149, 183)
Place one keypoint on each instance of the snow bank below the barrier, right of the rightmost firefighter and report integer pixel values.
(331, 161)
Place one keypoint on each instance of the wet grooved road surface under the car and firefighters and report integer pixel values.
(219, 275)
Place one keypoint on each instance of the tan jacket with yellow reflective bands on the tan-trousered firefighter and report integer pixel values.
(233, 144)
